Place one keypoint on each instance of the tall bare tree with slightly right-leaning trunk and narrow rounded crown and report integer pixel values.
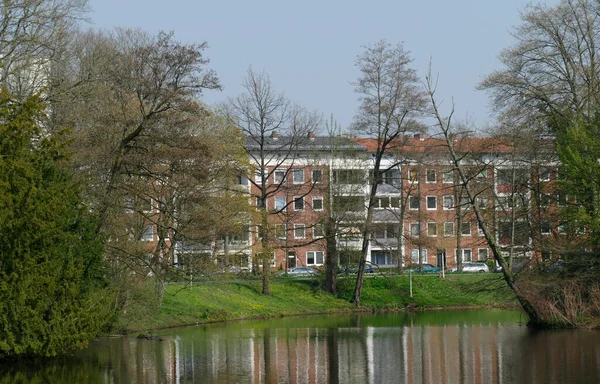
(390, 101)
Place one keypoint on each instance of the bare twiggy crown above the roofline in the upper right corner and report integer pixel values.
(551, 71)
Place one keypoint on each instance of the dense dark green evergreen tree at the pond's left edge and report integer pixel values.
(52, 295)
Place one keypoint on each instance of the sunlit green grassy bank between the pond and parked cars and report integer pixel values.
(218, 301)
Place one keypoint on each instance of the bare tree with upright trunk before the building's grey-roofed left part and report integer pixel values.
(274, 129)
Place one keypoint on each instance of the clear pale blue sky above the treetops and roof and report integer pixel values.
(309, 47)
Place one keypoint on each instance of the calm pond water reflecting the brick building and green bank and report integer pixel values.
(474, 346)
